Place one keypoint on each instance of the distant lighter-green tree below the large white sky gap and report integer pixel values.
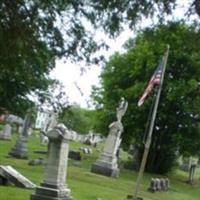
(77, 118)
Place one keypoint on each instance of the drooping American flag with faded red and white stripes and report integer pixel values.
(154, 81)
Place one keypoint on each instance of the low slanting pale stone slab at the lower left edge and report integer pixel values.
(11, 175)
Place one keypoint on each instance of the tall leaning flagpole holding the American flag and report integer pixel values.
(148, 141)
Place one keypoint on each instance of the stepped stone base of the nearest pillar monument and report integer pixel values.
(44, 192)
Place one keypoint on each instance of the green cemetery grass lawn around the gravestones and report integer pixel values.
(85, 185)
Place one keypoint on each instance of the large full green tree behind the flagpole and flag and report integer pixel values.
(177, 123)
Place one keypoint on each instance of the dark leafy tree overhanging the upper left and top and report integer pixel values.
(33, 33)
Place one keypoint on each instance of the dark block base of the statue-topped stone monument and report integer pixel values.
(104, 168)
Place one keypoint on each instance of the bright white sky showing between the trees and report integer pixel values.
(78, 85)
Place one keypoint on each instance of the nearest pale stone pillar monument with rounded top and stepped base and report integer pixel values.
(54, 184)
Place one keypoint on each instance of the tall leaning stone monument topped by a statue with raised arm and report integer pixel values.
(107, 163)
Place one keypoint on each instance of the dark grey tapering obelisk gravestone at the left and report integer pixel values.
(20, 148)
